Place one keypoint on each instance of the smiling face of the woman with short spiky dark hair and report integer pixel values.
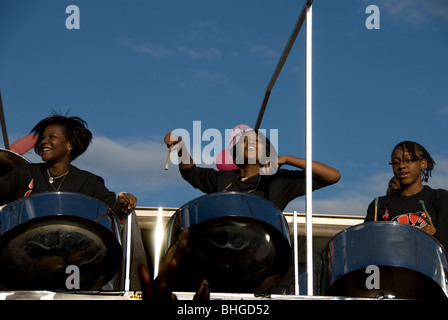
(54, 144)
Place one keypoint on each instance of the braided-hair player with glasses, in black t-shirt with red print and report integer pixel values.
(414, 203)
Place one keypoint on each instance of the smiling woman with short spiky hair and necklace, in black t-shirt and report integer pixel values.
(60, 140)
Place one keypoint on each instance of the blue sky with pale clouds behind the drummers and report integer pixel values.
(136, 70)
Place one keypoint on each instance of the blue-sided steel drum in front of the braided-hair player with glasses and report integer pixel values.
(411, 263)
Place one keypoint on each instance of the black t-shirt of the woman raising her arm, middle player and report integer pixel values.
(279, 188)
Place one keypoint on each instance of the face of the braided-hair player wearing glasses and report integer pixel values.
(408, 170)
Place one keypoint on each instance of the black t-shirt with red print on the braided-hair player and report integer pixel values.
(409, 210)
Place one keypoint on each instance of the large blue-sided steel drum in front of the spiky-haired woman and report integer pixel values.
(43, 234)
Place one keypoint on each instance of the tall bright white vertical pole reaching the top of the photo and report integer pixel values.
(308, 153)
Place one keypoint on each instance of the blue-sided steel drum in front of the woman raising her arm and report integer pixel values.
(239, 242)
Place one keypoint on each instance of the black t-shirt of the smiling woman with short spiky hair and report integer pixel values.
(33, 178)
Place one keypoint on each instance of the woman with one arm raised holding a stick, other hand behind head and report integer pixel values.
(253, 174)
